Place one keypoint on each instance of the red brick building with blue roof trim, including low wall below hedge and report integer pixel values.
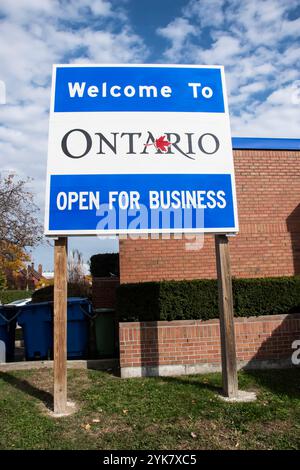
(268, 244)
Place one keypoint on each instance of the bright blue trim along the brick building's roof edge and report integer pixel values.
(258, 143)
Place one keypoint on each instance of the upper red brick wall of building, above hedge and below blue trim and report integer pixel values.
(268, 194)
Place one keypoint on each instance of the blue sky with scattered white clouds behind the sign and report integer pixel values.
(256, 41)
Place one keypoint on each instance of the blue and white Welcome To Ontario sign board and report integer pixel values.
(139, 148)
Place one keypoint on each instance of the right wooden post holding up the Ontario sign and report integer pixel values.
(229, 368)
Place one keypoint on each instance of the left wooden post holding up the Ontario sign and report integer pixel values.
(60, 325)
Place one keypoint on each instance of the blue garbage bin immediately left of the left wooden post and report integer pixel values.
(36, 321)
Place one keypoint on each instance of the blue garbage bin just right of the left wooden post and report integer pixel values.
(79, 313)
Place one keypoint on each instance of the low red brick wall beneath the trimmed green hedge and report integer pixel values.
(189, 346)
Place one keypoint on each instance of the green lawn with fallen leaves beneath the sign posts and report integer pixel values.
(151, 413)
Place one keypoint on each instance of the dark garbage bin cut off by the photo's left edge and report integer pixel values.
(8, 315)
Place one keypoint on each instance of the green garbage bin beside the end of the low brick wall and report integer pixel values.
(105, 332)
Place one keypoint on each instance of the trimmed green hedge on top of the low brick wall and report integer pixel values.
(198, 299)
